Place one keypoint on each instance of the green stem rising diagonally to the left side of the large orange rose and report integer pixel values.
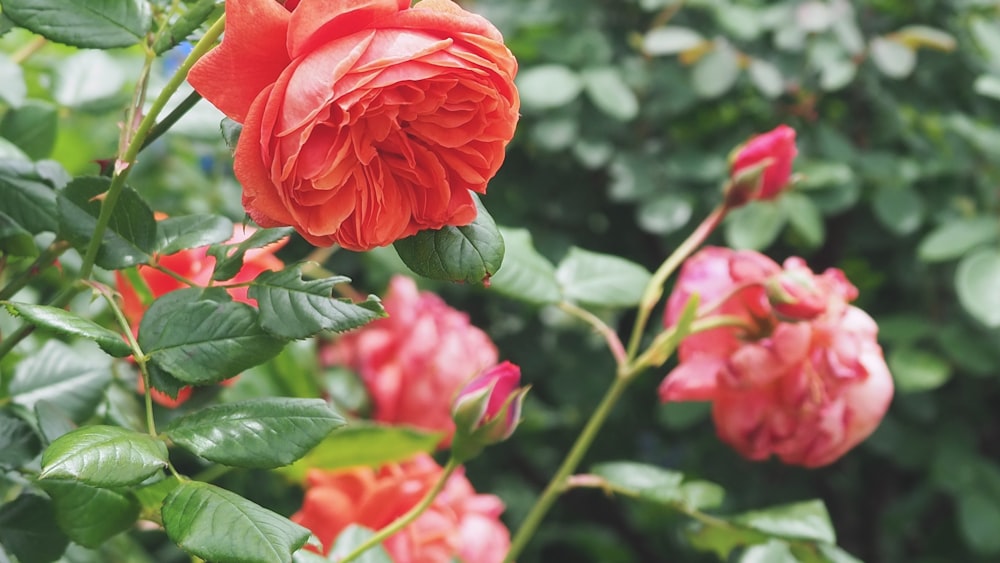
(126, 160)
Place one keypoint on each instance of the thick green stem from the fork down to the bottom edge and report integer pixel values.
(569, 465)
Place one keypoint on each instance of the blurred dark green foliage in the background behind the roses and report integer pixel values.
(629, 110)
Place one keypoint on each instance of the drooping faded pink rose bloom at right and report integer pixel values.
(805, 391)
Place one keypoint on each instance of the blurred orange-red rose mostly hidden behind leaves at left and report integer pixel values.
(196, 266)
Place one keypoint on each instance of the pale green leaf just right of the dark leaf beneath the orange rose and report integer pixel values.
(525, 275)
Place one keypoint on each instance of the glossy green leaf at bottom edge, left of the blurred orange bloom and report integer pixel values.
(223, 527)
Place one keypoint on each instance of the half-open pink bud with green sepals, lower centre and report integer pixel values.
(487, 410)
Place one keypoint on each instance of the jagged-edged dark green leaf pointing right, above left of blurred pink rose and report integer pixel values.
(293, 308)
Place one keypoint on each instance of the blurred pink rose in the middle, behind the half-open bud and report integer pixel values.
(415, 361)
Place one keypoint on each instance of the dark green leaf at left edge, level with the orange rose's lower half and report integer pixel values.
(27, 198)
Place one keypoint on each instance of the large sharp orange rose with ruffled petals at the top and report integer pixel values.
(364, 121)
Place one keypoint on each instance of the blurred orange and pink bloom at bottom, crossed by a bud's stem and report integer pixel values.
(459, 523)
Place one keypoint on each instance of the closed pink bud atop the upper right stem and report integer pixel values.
(762, 167)
